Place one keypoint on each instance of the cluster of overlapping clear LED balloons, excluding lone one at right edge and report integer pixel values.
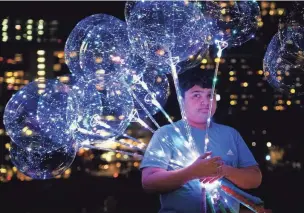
(112, 62)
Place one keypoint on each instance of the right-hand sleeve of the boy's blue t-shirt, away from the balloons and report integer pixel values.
(245, 157)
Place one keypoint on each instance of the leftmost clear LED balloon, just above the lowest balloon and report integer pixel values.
(26, 128)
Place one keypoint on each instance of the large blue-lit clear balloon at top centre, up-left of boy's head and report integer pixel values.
(159, 30)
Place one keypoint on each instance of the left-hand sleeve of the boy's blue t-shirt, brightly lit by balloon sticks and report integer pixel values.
(158, 152)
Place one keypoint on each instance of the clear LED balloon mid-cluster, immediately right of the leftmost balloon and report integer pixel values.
(98, 112)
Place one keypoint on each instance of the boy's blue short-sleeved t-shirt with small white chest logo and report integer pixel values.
(166, 149)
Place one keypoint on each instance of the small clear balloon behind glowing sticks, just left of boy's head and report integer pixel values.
(157, 86)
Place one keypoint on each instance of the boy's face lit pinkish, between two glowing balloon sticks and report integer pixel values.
(197, 102)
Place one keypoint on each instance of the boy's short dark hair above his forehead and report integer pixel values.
(195, 76)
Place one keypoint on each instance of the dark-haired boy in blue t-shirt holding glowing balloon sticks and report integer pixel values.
(180, 188)
